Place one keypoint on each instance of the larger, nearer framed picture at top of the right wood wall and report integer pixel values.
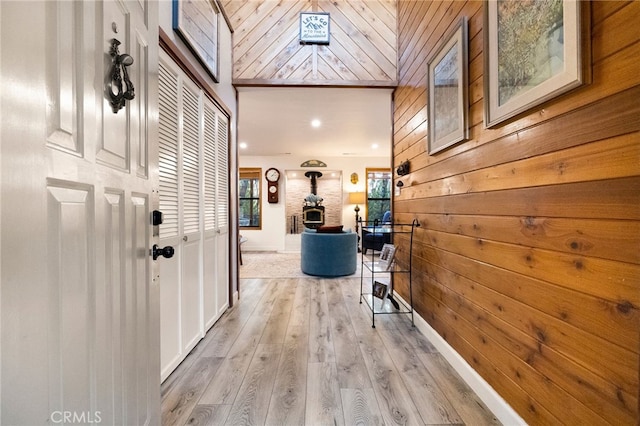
(532, 52)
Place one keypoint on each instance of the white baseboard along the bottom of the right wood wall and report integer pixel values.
(498, 406)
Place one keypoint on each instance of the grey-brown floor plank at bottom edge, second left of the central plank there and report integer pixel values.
(252, 403)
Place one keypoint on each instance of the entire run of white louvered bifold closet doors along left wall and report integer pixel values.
(193, 294)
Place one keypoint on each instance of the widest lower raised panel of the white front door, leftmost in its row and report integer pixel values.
(71, 290)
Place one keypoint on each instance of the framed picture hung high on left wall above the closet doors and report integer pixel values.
(196, 21)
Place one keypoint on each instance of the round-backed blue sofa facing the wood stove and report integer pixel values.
(327, 254)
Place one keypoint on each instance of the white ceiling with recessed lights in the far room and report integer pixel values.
(276, 121)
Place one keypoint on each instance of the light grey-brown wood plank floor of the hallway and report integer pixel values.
(301, 351)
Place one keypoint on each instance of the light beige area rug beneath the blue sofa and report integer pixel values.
(276, 265)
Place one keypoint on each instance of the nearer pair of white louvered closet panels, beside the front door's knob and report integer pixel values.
(180, 170)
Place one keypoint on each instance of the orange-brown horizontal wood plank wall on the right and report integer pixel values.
(527, 261)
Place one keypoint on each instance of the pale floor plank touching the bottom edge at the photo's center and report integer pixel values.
(324, 404)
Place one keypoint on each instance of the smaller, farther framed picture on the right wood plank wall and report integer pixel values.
(447, 91)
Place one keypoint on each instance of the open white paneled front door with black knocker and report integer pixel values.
(79, 291)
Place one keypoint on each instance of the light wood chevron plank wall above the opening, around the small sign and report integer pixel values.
(267, 51)
